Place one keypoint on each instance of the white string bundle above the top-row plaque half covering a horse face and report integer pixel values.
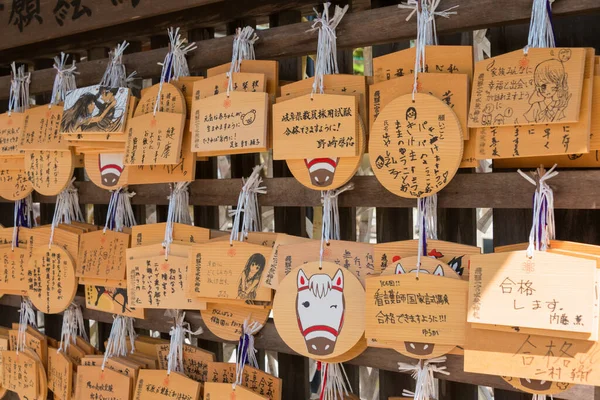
(326, 63)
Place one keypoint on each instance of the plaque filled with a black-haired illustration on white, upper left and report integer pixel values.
(95, 109)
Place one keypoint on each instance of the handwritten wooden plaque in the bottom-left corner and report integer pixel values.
(19, 374)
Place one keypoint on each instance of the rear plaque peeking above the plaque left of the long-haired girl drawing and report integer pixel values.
(144, 235)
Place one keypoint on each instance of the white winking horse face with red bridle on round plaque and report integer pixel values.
(320, 310)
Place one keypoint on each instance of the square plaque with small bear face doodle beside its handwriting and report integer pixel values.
(223, 125)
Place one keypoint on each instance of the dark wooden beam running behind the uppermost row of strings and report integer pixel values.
(364, 28)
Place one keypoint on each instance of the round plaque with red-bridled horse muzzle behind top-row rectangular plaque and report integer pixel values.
(328, 173)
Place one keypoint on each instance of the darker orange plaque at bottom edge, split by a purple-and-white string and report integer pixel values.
(252, 378)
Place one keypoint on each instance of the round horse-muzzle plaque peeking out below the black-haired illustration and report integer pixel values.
(106, 170)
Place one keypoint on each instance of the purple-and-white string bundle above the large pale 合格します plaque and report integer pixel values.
(542, 226)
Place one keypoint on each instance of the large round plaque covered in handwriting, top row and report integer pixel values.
(415, 147)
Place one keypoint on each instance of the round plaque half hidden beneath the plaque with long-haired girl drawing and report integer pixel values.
(226, 321)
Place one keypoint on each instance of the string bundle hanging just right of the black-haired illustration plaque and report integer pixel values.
(175, 63)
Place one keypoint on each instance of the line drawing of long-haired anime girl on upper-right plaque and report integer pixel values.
(551, 94)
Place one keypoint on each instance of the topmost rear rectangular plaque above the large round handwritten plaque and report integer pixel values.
(440, 59)
